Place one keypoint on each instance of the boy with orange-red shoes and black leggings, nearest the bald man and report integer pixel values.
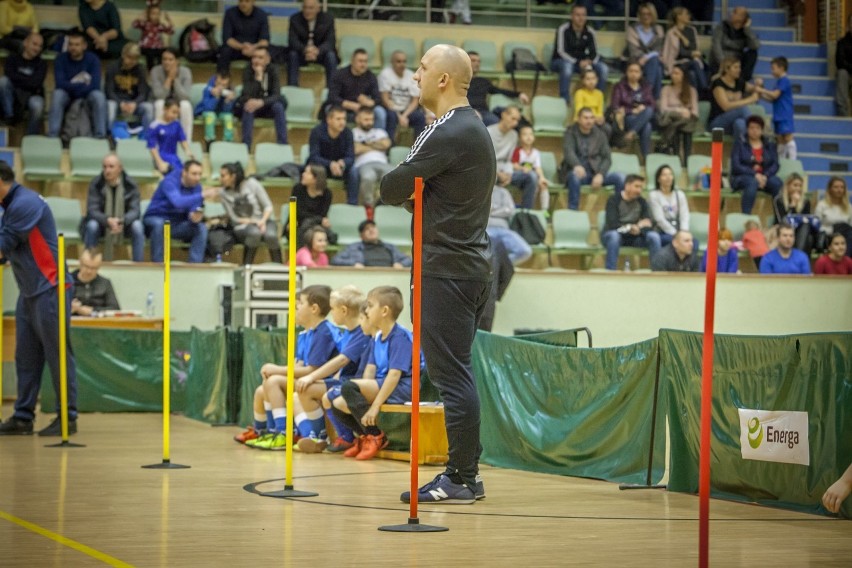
(386, 378)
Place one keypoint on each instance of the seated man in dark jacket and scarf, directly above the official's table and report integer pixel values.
(112, 209)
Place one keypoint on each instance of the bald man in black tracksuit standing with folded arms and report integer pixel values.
(455, 157)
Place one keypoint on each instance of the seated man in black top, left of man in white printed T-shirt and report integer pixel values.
(354, 87)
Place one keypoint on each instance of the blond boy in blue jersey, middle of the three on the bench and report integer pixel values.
(315, 387)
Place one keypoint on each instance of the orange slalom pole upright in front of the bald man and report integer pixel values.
(417, 282)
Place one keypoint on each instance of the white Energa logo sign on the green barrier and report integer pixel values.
(779, 436)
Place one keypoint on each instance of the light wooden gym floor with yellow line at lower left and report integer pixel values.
(95, 506)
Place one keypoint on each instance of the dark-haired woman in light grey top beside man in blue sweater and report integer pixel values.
(249, 212)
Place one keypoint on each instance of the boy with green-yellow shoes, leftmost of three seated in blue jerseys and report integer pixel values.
(316, 345)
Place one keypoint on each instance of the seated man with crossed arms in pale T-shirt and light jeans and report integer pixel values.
(371, 159)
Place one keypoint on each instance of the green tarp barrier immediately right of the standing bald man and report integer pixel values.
(568, 411)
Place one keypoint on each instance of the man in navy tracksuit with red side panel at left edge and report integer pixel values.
(28, 241)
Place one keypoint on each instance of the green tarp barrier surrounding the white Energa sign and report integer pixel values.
(810, 373)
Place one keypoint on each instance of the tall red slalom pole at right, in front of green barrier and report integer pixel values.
(707, 363)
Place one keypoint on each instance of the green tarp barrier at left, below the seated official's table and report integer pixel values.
(122, 371)
